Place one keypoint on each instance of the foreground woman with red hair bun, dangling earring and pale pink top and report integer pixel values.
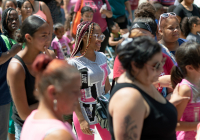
(58, 86)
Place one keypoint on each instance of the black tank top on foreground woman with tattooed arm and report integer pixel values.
(161, 122)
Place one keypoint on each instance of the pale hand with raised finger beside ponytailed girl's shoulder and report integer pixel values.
(175, 98)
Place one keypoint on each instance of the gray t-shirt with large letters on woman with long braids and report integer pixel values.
(93, 76)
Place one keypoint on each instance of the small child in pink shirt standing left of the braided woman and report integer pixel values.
(61, 44)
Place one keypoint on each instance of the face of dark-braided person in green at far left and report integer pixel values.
(12, 21)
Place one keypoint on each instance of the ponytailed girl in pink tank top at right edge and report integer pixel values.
(187, 73)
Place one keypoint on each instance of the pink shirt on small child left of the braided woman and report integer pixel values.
(59, 45)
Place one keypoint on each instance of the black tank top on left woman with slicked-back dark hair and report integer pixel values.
(29, 86)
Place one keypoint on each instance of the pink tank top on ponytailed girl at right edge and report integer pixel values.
(191, 112)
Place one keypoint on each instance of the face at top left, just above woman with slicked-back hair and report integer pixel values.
(26, 9)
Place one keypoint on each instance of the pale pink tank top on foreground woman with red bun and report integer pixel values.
(37, 129)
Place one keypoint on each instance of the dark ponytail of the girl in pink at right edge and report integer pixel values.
(176, 76)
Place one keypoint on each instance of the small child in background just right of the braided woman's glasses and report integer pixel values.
(115, 36)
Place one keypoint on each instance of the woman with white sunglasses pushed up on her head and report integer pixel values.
(170, 31)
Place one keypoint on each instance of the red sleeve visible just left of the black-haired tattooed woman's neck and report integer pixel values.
(117, 69)
